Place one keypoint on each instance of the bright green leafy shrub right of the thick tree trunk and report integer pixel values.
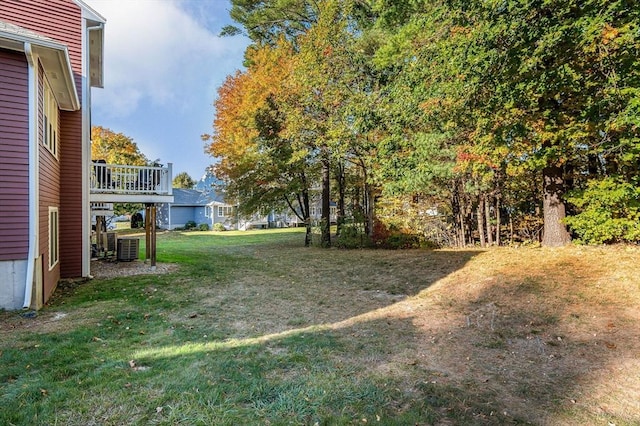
(609, 212)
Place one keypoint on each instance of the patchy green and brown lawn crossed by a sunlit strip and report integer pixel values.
(253, 328)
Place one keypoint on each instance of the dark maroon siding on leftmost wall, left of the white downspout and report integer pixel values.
(14, 156)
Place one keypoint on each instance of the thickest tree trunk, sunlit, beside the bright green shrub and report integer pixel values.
(555, 231)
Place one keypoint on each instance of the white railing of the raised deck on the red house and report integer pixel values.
(119, 179)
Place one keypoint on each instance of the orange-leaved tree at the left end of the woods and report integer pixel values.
(260, 165)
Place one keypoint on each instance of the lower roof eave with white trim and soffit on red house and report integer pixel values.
(54, 57)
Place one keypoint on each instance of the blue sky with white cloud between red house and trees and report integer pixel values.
(163, 63)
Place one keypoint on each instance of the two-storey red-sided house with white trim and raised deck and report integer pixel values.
(51, 54)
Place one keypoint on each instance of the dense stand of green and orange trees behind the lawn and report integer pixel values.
(490, 109)
